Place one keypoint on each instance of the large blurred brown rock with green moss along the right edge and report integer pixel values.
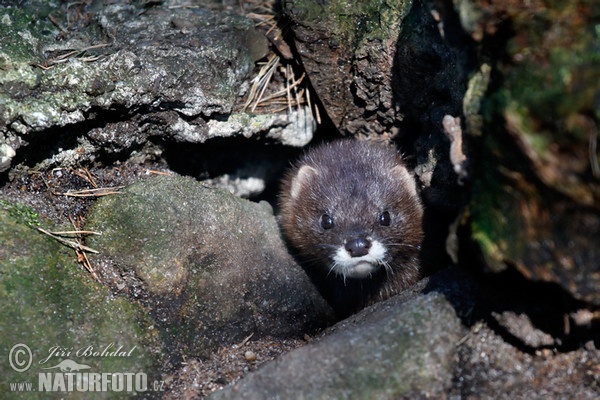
(535, 201)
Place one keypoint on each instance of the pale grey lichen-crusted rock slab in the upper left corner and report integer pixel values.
(130, 70)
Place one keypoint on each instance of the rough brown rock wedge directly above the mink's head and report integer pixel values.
(348, 53)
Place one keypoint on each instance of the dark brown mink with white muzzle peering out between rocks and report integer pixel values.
(351, 211)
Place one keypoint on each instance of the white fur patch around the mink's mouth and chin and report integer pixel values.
(358, 267)
